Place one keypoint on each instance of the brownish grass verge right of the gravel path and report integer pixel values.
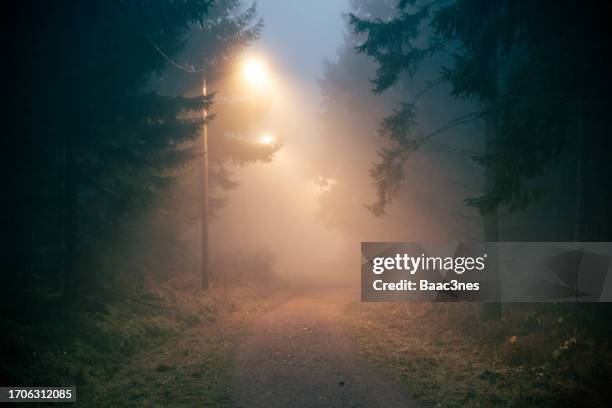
(448, 358)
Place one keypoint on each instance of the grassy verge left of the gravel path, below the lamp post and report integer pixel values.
(162, 347)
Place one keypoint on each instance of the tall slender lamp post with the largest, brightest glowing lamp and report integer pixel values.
(255, 73)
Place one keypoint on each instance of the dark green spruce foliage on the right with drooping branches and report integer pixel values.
(543, 66)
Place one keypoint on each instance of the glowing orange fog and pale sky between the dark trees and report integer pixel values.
(307, 207)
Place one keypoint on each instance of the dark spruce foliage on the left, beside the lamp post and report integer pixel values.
(99, 145)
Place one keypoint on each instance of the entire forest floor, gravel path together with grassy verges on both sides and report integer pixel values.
(252, 346)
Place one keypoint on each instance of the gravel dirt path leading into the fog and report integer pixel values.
(298, 355)
